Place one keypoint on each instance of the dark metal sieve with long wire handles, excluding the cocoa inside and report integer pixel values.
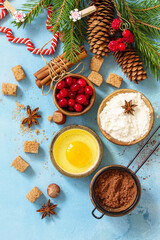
(114, 212)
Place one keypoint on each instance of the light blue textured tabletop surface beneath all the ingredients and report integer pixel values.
(18, 217)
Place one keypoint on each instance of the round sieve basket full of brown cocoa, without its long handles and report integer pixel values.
(115, 191)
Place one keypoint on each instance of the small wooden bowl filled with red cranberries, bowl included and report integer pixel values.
(74, 95)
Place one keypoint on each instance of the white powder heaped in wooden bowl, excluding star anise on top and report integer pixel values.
(122, 126)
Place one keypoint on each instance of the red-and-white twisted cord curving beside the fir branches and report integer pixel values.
(30, 47)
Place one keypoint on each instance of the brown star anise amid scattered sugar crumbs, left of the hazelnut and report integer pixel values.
(32, 116)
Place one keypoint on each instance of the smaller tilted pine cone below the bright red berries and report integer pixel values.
(131, 64)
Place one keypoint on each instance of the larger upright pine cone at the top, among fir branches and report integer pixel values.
(99, 27)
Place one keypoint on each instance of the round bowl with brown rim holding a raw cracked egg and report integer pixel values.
(76, 151)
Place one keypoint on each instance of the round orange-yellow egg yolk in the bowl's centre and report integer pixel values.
(78, 154)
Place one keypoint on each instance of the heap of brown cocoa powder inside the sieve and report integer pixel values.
(115, 189)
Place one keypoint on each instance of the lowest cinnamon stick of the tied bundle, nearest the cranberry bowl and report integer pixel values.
(47, 79)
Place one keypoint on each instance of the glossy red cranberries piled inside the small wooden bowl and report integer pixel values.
(73, 94)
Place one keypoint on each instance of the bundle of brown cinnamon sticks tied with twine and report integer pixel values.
(43, 76)
